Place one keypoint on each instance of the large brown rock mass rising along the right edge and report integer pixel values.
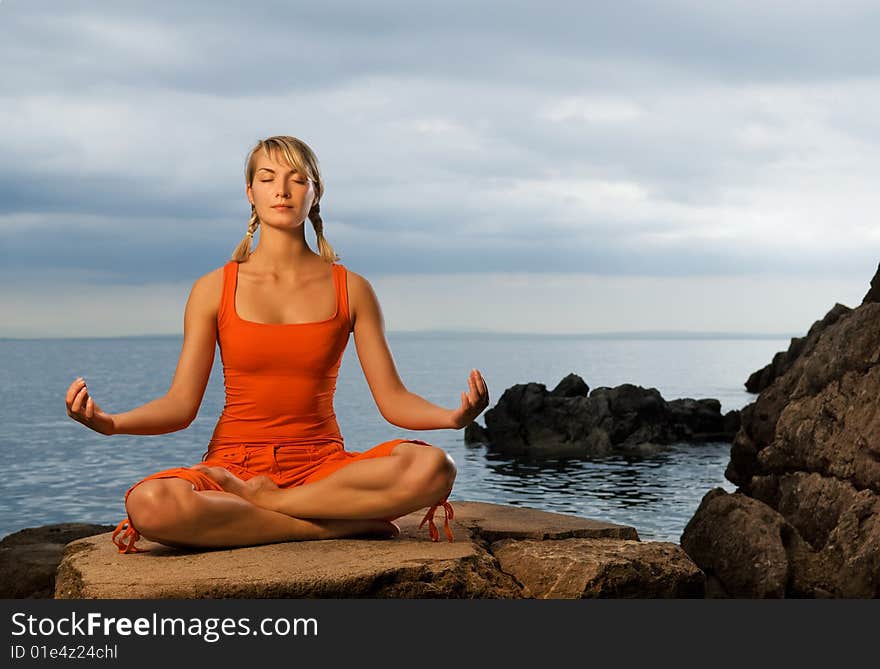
(805, 520)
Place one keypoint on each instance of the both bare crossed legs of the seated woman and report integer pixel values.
(361, 495)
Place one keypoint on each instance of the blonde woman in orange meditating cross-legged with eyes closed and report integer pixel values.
(276, 468)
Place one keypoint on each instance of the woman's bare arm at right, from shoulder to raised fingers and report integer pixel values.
(398, 405)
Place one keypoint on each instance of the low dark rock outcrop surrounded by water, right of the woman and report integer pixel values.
(570, 420)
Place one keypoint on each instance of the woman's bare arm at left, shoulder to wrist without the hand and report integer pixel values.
(180, 405)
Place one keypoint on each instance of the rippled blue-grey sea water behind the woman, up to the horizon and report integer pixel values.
(59, 471)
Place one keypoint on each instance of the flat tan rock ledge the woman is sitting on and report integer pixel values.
(410, 566)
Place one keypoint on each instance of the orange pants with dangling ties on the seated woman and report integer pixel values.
(288, 465)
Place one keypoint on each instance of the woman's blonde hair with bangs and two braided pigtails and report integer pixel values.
(301, 158)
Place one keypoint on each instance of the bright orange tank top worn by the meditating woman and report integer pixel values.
(280, 378)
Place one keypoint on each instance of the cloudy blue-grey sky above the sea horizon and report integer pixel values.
(511, 166)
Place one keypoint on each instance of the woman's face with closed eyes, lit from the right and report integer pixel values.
(281, 195)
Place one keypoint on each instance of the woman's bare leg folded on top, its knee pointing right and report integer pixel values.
(412, 477)
